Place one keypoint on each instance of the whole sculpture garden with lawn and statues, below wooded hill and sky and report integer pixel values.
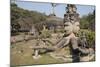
(65, 42)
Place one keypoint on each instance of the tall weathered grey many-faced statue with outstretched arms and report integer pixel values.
(71, 27)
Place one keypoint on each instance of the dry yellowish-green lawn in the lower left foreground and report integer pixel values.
(25, 58)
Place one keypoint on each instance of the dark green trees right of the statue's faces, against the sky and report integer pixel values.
(88, 21)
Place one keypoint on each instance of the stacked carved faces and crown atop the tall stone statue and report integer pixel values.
(71, 25)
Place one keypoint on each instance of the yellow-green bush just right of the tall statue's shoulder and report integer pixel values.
(90, 36)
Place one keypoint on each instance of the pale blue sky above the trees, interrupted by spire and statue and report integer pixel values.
(59, 9)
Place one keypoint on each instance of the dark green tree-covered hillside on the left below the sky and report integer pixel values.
(19, 15)
